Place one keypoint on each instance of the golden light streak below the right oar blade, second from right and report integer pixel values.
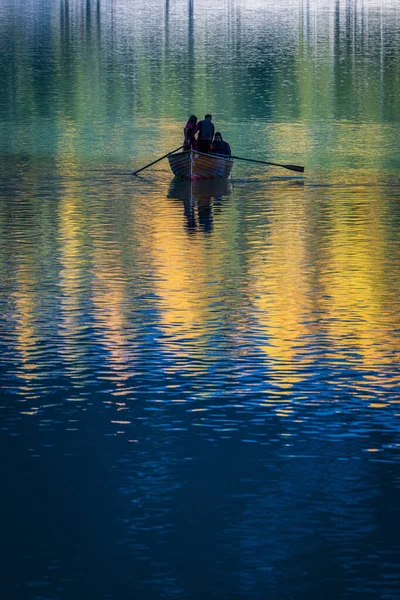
(280, 289)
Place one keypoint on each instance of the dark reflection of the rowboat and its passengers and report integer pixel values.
(202, 200)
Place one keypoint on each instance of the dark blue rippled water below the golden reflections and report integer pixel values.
(154, 498)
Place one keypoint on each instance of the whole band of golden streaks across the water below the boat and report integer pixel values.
(317, 271)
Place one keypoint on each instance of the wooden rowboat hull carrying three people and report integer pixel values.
(192, 164)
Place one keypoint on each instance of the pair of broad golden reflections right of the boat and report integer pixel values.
(331, 280)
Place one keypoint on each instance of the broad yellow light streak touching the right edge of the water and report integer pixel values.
(359, 305)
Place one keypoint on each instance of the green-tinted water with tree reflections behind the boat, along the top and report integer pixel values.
(117, 80)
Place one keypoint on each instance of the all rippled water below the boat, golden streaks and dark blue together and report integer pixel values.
(199, 412)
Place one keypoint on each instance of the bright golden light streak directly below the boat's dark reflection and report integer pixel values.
(188, 281)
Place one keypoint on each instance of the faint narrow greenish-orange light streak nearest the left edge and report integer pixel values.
(24, 254)
